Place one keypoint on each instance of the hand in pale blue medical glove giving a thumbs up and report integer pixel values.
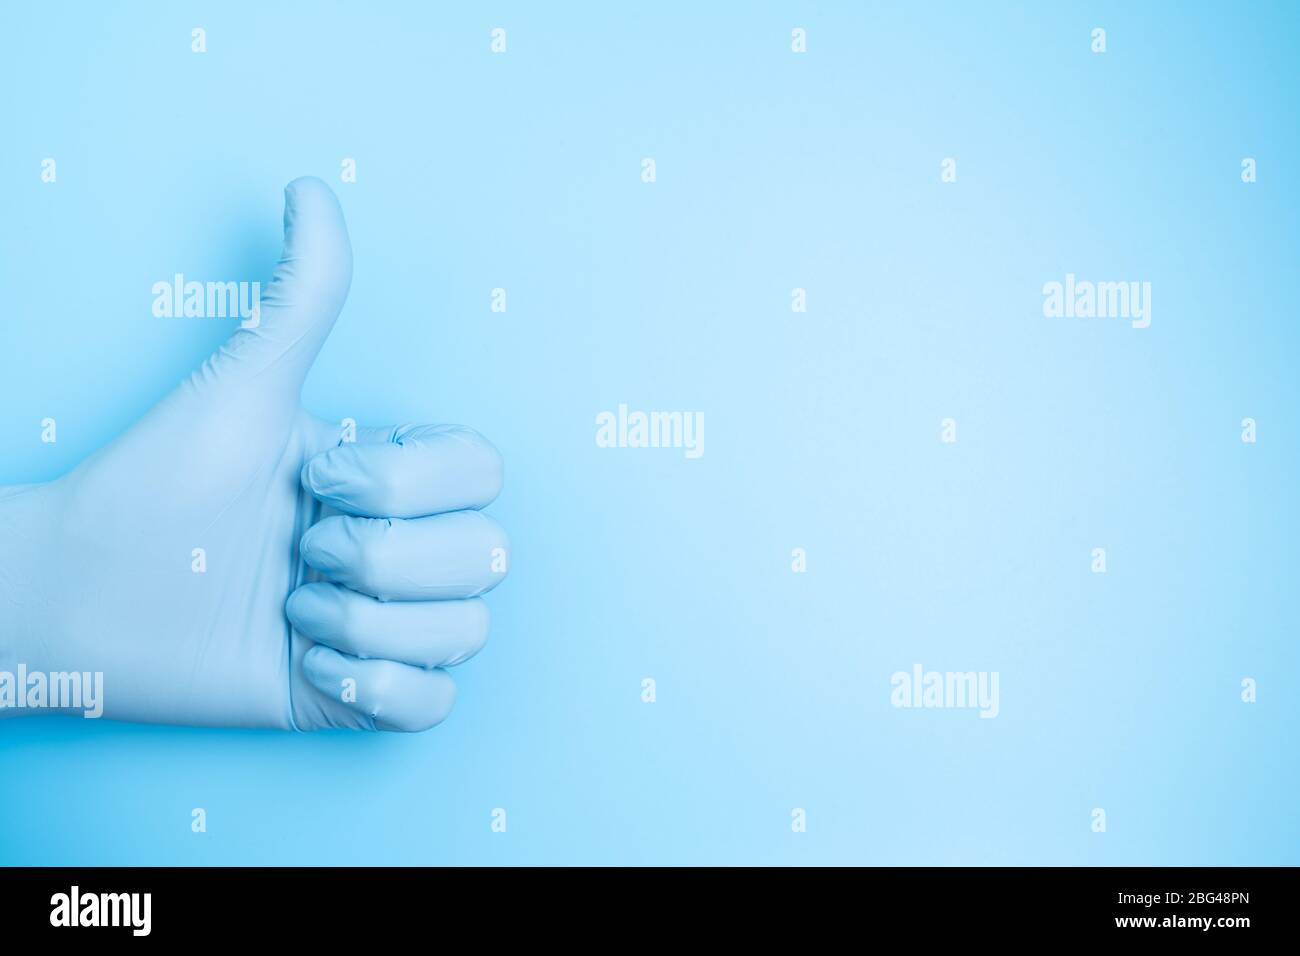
(336, 579)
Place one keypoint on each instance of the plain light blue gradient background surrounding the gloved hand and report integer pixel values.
(775, 171)
